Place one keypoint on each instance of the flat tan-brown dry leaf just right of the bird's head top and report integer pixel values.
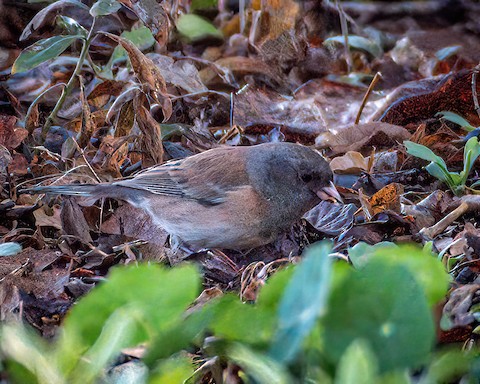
(362, 137)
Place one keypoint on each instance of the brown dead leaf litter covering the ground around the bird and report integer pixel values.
(269, 77)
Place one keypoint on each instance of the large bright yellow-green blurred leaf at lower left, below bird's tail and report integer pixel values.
(151, 293)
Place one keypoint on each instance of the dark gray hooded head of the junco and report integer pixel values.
(286, 172)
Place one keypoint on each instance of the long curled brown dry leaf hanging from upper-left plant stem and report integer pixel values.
(147, 74)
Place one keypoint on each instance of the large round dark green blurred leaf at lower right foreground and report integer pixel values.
(384, 304)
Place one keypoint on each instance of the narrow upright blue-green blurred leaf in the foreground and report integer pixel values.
(303, 301)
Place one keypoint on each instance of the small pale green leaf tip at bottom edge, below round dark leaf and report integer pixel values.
(358, 365)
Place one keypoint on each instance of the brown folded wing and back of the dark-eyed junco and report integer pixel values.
(205, 177)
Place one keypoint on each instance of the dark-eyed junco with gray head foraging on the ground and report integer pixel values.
(227, 197)
